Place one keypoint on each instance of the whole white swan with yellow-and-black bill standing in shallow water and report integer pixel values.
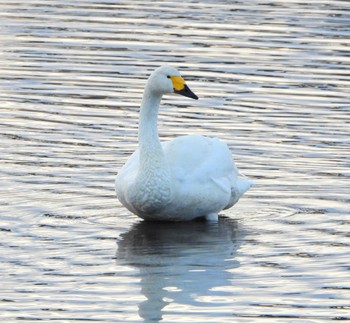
(180, 180)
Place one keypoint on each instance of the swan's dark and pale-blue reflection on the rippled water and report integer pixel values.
(179, 263)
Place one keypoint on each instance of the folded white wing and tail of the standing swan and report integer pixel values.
(206, 165)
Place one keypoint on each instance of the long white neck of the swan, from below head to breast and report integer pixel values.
(153, 185)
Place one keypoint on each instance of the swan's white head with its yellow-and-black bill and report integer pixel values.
(166, 79)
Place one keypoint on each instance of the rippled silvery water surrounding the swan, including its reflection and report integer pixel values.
(273, 82)
